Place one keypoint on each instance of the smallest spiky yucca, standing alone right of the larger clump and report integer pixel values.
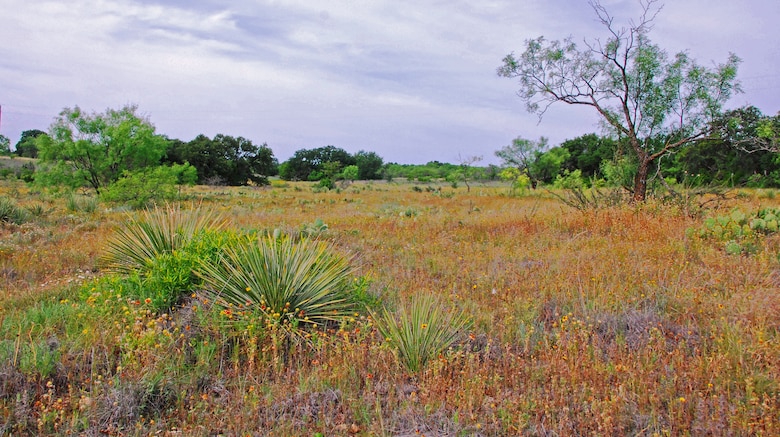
(422, 330)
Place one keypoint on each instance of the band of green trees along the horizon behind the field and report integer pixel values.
(119, 148)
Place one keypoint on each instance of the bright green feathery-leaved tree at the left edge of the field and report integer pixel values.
(95, 150)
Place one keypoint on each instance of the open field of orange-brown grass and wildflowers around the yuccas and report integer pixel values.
(613, 321)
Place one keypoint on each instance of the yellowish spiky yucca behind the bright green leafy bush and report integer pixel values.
(157, 232)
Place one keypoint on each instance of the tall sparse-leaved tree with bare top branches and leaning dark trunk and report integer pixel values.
(639, 92)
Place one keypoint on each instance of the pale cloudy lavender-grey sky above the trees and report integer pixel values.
(413, 81)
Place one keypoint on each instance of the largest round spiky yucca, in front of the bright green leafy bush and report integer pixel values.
(291, 282)
